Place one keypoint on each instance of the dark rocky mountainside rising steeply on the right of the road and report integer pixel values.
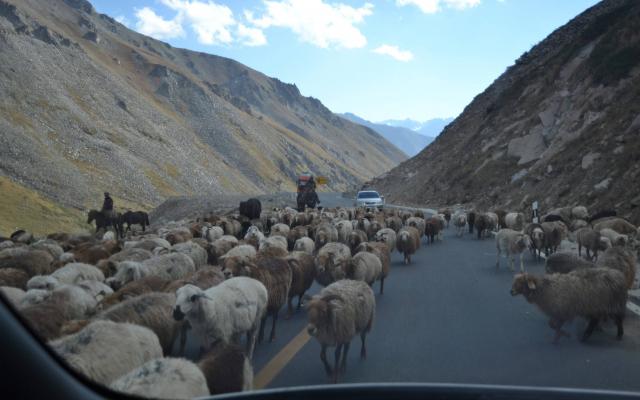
(560, 126)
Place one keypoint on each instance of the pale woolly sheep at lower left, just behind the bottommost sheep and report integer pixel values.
(105, 350)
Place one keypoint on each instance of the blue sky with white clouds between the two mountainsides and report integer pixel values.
(386, 59)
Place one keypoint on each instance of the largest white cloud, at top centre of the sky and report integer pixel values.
(316, 22)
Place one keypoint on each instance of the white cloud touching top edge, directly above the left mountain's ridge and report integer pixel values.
(211, 22)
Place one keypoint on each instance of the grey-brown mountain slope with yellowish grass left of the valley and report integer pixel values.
(87, 105)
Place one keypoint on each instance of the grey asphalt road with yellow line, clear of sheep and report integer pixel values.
(449, 317)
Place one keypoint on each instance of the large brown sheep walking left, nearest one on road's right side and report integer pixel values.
(591, 293)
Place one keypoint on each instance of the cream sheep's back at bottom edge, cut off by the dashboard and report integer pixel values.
(164, 378)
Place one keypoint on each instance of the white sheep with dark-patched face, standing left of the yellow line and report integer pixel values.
(223, 312)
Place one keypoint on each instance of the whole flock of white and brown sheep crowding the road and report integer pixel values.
(116, 310)
